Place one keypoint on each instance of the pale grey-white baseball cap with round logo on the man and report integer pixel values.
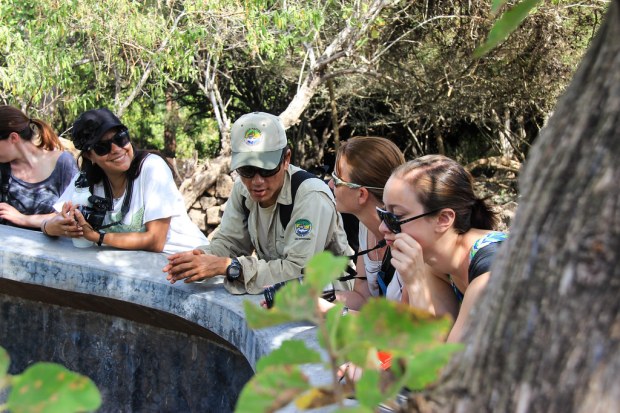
(257, 139)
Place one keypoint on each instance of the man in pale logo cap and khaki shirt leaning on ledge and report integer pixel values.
(275, 220)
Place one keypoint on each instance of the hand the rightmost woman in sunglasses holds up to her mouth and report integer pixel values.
(407, 259)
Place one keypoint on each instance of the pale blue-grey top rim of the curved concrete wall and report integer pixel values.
(51, 270)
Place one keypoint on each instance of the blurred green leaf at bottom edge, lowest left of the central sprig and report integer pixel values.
(272, 388)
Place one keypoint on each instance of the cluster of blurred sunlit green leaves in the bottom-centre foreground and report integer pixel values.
(411, 339)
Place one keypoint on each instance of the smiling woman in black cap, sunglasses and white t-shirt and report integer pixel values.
(143, 208)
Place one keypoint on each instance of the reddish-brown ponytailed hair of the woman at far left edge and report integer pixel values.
(14, 120)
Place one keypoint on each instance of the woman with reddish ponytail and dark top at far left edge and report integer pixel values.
(34, 169)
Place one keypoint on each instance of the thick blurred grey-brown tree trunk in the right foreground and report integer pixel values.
(546, 336)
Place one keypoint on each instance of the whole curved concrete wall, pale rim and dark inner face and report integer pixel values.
(111, 314)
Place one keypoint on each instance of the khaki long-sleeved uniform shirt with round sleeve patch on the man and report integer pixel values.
(315, 226)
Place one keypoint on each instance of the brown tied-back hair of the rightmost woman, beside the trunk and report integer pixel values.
(440, 182)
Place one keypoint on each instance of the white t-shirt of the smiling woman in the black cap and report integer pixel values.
(155, 196)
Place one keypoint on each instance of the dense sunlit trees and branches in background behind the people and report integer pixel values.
(179, 71)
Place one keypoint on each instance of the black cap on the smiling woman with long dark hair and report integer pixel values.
(91, 125)
